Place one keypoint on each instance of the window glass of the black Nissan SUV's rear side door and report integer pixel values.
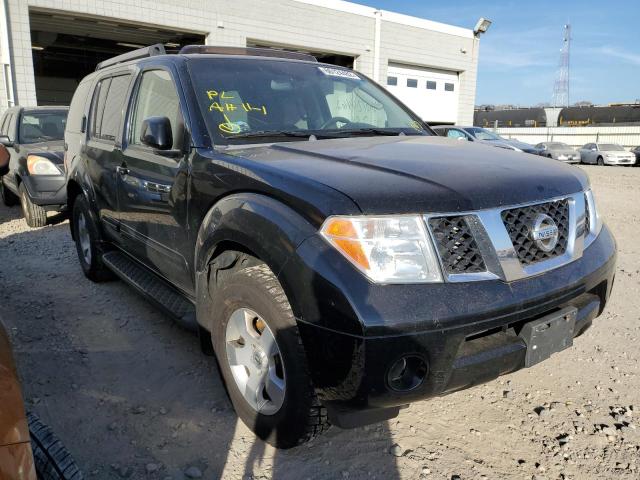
(107, 106)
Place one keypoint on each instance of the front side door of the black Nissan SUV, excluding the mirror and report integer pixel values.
(152, 183)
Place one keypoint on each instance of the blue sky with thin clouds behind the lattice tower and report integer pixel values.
(520, 53)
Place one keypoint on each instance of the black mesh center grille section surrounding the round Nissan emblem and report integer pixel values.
(518, 223)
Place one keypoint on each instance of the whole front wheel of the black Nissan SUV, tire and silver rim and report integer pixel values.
(262, 359)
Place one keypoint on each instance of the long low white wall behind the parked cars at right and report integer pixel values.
(628, 137)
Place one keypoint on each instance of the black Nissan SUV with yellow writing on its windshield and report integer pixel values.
(338, 258)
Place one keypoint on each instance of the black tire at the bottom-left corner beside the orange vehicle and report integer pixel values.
(52, 460)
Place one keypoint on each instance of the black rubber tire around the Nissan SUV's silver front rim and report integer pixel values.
(300, 416)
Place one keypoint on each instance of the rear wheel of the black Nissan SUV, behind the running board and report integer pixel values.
(89, 243)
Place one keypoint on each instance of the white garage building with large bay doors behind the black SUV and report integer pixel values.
(47, 46)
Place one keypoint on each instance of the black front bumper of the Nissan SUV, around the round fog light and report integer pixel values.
(467, 333)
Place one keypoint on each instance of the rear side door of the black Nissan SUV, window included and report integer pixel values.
(104, 145)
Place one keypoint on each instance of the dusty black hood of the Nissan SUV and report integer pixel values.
(409, 174)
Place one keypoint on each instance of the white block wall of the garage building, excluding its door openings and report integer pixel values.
(373, 37)
